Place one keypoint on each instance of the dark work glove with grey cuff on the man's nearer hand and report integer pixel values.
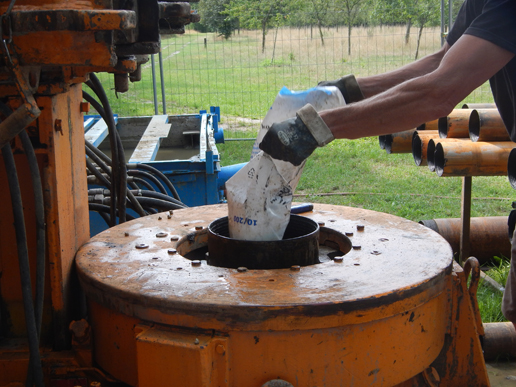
(295, 139)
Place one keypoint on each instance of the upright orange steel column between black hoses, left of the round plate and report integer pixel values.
(66, 195)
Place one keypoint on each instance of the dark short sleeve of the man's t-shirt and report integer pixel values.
(492, 20)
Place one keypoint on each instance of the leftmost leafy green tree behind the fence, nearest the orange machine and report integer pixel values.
(215, 16)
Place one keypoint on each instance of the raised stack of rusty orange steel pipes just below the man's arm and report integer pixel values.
(468, 142)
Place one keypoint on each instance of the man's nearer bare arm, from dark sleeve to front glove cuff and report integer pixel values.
(465, 66)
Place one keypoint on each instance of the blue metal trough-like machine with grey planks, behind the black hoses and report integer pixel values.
(182, 147)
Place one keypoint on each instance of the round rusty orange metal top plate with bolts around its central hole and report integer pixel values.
(393, 261)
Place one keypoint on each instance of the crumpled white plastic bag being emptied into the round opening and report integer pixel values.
(260, 194)
